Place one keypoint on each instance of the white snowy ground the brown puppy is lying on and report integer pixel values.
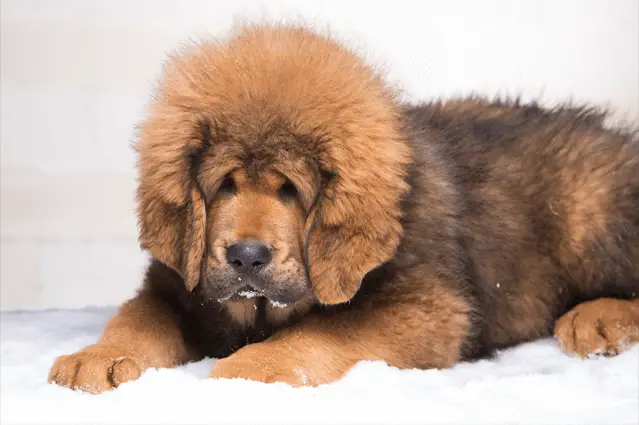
(533, 383)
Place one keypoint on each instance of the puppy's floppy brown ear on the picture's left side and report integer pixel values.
(170, 207)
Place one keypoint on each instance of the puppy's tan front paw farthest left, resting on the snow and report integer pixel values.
(95, 369)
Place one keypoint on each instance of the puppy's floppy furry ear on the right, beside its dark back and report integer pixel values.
(355, 225)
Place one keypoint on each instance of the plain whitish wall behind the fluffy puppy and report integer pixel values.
(76, 74)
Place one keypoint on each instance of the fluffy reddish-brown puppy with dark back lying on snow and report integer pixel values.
(300, 219)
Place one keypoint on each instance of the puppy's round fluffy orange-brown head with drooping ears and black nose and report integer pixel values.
(272, 163)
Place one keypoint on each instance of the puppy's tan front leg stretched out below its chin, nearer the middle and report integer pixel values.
(422, 332)
